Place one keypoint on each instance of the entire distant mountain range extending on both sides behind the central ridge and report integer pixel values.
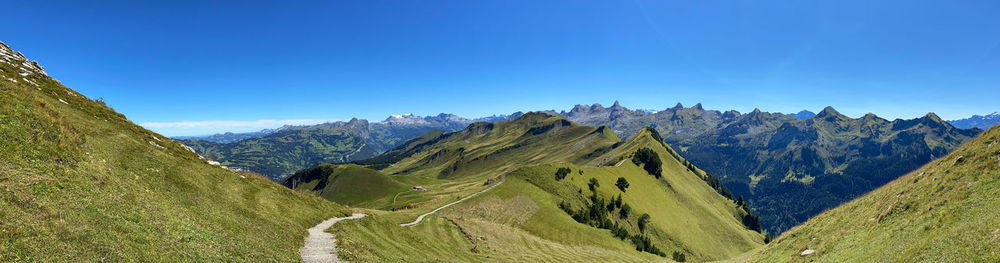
(773, 160)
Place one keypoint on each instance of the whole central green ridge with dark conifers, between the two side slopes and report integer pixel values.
(561, 196)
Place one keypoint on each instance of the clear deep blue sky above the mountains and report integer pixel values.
(208, 66)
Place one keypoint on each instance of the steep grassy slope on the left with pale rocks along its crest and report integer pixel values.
(80, 182)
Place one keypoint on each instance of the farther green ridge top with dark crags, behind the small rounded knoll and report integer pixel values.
(487, 148)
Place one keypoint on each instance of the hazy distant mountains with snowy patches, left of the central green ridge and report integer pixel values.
(280, 152)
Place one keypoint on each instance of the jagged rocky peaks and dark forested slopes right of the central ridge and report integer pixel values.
(788, 168)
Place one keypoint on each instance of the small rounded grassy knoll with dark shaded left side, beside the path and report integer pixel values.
(347, 184)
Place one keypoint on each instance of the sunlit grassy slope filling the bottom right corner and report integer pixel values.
(945, 211)
